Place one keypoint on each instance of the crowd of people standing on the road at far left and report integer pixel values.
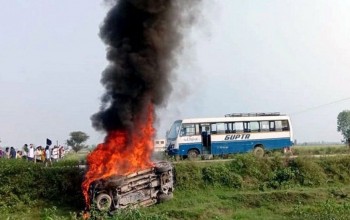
(45, 155)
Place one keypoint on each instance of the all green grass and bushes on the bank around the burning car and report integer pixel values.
(245, 187)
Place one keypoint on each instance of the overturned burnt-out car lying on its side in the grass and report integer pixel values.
(139, 189)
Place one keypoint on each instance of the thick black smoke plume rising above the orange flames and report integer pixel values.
(143, 38)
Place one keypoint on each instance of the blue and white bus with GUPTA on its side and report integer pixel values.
(233, 133)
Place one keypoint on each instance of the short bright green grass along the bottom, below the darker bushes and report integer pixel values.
(224, 203)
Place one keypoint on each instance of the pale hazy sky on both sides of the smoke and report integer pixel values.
(240, 56)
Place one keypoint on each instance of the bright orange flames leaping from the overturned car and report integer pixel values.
(122, 153)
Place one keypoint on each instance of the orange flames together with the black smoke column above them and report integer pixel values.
(143, 38)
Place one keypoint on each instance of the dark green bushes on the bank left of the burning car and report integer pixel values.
(26, 182)
